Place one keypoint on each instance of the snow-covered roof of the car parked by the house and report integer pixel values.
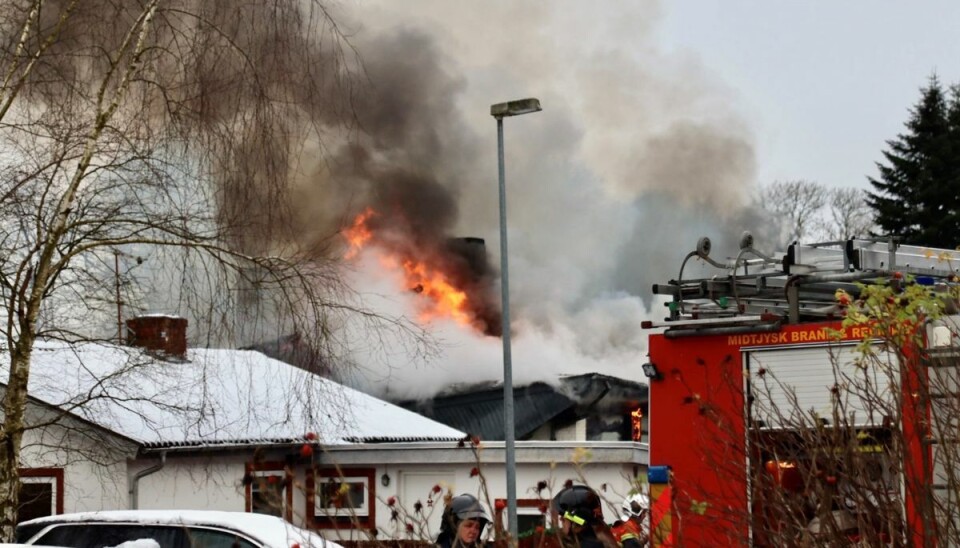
(268, 530)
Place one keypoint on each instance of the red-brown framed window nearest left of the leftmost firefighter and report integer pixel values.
(342, 498)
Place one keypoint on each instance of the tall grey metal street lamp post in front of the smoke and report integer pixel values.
(500, 111)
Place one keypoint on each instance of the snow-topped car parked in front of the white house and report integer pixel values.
(167, 529)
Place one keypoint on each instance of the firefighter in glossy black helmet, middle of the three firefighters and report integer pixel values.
(580, 513)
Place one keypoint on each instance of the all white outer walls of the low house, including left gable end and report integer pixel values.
(99, 469)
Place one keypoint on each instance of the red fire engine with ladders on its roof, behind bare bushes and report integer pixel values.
(774, 423)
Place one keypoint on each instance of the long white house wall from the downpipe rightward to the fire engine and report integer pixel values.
(217, 482)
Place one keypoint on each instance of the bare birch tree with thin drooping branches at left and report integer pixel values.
(168, 127)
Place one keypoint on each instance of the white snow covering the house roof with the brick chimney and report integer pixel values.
(215, 397)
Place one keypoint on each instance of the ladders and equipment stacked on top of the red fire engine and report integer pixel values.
(754, 289)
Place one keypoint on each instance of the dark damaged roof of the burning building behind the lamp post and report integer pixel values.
(479, 410)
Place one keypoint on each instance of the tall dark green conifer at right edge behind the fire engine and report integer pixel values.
(916, 194)
